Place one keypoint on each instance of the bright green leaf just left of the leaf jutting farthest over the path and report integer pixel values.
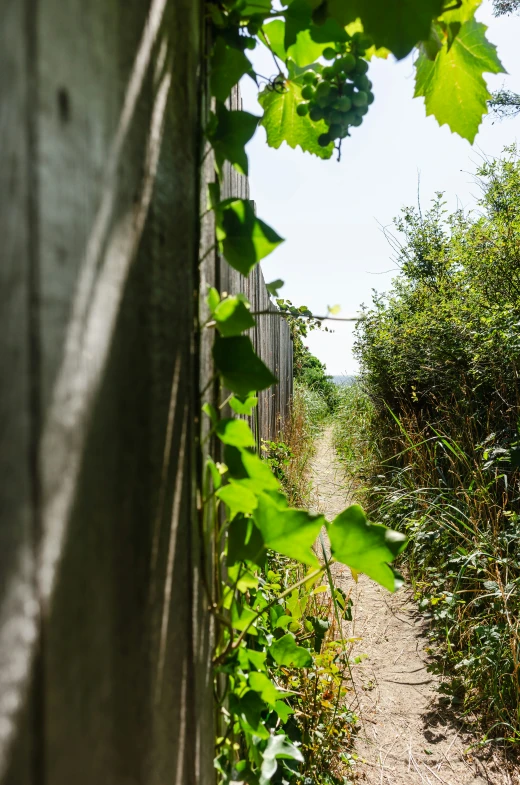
(288, 531)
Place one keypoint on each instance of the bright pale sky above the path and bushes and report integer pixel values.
(331, 214)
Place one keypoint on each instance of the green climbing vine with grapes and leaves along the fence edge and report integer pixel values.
(279, 682)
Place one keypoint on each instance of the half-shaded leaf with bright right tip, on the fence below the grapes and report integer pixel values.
(243, 238)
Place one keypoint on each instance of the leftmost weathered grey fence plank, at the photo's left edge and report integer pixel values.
(18, 402)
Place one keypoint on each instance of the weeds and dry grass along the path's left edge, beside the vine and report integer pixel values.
(322, 723)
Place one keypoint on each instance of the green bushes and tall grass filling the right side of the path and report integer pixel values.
(432, 427)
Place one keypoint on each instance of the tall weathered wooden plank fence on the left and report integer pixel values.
(105, 636)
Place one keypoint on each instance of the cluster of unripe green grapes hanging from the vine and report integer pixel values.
(340, 95)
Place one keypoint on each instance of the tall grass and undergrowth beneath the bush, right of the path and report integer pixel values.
(457, 499)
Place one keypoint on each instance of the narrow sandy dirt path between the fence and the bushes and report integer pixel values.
(406, 738)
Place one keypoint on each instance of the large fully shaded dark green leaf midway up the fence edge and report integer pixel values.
(241, 369)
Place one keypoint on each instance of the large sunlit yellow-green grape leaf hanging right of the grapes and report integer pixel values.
(454, 89)
